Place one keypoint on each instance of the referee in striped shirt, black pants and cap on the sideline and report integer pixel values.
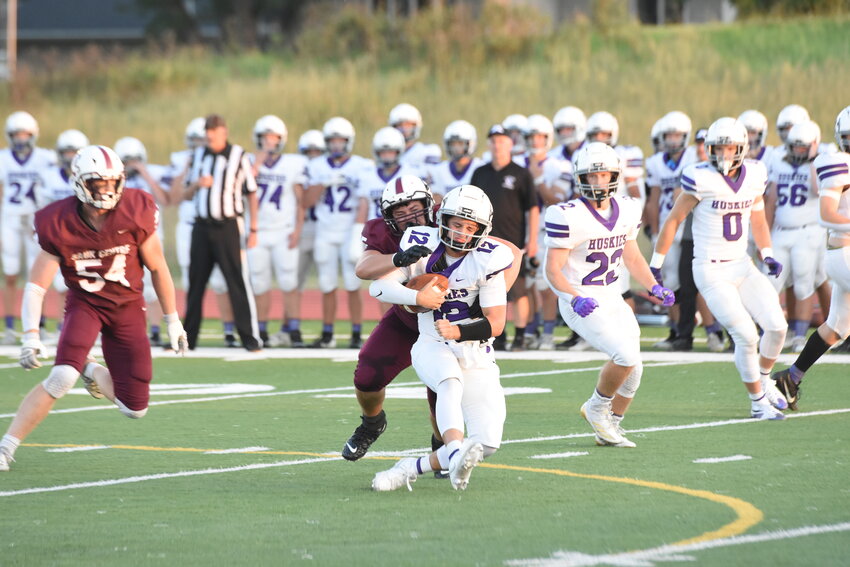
(219, 181)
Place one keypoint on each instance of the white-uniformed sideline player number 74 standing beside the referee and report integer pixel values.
(280, 179)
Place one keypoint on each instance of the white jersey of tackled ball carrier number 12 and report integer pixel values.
(471, 283)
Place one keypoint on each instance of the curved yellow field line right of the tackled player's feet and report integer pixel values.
(747, 514)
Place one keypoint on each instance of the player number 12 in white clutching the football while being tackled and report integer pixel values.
(454, 355)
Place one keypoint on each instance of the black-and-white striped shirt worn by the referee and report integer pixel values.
(232, 178)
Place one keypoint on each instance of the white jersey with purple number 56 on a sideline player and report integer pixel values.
(796, 203)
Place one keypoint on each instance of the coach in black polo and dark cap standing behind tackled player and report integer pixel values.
(516, 216)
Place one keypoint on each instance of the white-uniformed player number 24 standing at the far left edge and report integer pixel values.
(20, 167)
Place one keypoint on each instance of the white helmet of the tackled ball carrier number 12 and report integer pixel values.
(467, 202)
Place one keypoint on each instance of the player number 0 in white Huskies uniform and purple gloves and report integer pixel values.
(724, 194)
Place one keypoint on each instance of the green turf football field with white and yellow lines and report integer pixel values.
(237, 462)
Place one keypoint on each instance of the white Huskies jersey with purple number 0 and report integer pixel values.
(722, 216)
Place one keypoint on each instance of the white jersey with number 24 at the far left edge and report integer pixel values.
(21, 179)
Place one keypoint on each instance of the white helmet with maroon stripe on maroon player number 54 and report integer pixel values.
(97, 162)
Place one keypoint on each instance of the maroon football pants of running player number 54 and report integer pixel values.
(125, 346)
